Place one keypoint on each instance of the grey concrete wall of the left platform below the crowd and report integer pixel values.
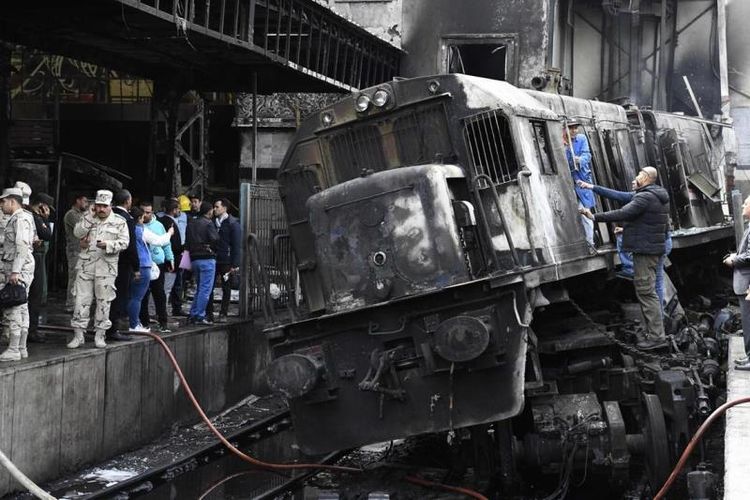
(61, 409)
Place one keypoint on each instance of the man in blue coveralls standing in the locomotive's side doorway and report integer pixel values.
(579, 160)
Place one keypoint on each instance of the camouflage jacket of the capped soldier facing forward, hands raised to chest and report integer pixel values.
(113, 231)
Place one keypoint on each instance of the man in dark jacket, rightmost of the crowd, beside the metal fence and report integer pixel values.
(227, 255)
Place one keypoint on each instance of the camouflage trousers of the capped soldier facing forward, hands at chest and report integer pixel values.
(87, 289)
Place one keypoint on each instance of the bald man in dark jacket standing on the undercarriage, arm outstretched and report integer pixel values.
(645, 220)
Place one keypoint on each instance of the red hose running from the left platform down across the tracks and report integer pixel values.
(267, 465)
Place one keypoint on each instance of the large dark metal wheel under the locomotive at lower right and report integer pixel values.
(657, 446)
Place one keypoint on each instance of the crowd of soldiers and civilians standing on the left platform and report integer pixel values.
(120, 255)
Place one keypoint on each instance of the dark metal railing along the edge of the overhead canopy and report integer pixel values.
(300, 33)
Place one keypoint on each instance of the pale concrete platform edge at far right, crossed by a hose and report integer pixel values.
(737, 433)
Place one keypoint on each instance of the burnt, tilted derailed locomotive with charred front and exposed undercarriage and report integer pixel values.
(449, 285)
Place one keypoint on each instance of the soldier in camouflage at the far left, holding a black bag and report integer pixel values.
(18, 267)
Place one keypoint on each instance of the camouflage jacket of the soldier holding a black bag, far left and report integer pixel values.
(18, 244)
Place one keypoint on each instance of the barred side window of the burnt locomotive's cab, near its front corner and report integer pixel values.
(490, 144)
